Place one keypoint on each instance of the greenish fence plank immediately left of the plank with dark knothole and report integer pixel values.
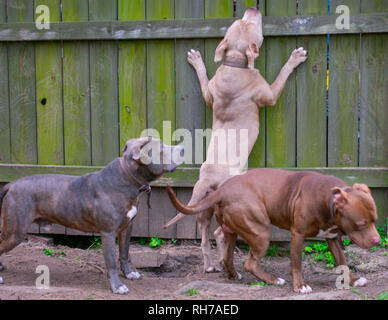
(21, 68)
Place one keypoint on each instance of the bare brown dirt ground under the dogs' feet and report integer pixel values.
(80, 274)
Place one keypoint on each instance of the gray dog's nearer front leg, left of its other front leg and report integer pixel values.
(108, 245)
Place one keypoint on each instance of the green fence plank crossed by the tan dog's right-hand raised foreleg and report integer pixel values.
(281, 119)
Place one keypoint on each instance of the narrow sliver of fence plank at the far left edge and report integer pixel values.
(5, 133)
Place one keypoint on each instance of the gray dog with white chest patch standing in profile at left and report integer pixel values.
(104, 201)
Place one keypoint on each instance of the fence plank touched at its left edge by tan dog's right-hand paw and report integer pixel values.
(311, 93)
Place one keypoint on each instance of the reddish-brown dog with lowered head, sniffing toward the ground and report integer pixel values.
(308, 204)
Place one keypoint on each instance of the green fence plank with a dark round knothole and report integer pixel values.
(49, 94)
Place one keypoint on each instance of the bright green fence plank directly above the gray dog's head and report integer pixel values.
(160, 74)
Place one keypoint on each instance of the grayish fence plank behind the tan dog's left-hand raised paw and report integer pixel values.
(190, 106)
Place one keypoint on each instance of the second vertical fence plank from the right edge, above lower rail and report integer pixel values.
(344, 65)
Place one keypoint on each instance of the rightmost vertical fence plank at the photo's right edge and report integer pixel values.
(374, 94)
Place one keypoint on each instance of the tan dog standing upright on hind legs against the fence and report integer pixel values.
(235, 93)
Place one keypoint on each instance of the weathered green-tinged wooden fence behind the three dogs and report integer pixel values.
(72, 95)
